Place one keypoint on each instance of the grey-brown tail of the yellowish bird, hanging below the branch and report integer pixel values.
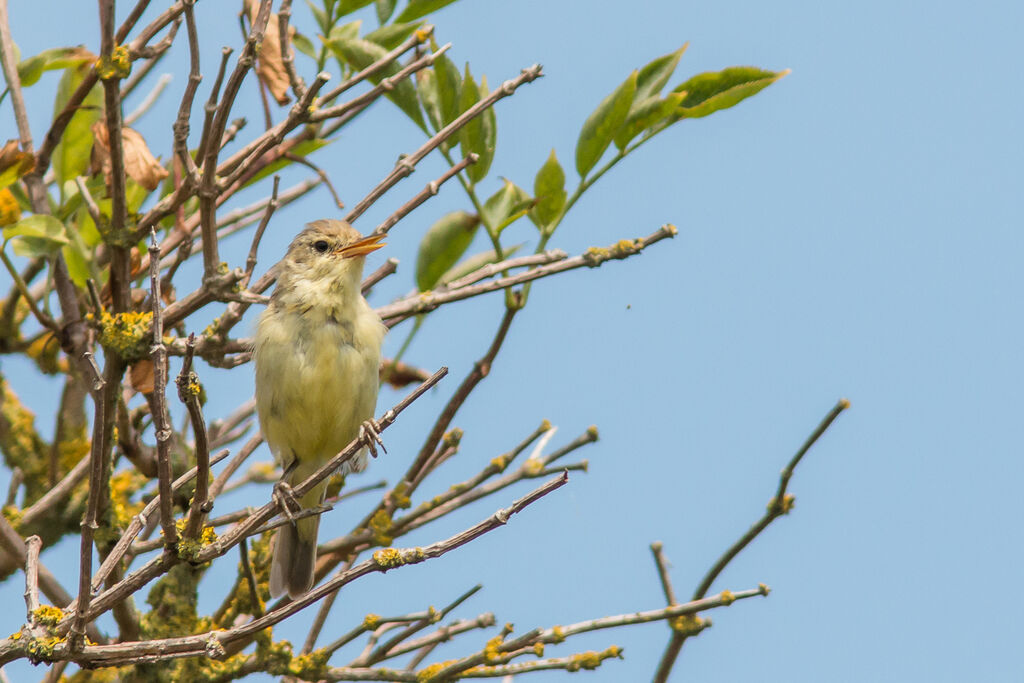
(295, 550)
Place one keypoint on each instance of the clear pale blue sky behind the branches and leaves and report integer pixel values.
(854, 231)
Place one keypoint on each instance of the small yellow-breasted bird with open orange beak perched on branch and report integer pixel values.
(317, 352)
